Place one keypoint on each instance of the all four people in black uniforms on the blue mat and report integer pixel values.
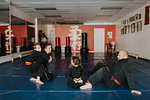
(79, 77)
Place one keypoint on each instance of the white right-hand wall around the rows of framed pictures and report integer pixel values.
(137, 42)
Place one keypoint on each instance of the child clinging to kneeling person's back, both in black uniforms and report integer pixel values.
(37, 63)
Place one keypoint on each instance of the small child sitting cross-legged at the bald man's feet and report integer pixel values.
(76, 75)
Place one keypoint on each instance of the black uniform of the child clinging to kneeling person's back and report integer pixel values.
(31, 60)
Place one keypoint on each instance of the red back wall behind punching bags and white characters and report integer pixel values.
(62, 31)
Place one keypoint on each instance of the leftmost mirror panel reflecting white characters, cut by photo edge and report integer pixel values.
(4, 28)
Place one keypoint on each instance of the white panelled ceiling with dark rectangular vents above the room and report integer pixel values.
(78, 11)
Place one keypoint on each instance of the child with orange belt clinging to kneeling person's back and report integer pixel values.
(31, 60)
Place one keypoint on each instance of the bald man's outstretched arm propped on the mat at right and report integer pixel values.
(130, 80)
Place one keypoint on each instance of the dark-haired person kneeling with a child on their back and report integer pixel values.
(42, 61)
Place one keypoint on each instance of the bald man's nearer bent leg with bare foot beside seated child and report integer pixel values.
(94, 79)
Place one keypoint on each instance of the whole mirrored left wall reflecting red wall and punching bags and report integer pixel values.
(16, 34)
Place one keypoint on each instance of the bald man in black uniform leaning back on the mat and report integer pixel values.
(116, 75)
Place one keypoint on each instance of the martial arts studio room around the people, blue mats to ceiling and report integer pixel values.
(93, 30)
